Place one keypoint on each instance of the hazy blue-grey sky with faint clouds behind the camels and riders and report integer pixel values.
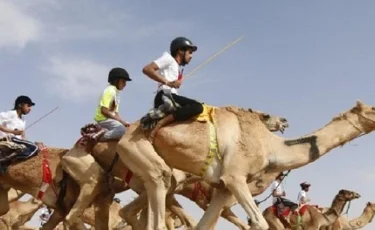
(304, 60)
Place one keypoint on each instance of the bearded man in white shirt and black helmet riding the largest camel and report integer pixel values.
(167, 70)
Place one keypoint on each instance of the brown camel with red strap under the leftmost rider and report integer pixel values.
(26, 176)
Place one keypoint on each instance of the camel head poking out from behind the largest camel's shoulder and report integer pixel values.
(273, 123)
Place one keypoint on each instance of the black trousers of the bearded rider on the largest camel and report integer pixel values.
(189, 107)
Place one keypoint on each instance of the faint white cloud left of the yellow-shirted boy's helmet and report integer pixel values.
(75, 79)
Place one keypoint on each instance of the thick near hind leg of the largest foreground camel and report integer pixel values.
(137, 153)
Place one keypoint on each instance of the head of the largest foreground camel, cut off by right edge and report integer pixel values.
(362, 117)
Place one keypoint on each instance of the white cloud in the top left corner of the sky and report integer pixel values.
(17, 28)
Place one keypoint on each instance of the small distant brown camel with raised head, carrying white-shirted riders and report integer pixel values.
(309, 216)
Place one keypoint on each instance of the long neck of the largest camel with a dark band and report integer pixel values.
(291, 154)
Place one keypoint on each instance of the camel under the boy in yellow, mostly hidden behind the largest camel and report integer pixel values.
(92, 177)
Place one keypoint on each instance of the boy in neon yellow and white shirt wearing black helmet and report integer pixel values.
(106, 114)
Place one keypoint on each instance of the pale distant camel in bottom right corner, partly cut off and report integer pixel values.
(342, 223)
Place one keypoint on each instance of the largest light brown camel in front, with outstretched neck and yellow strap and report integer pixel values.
(246, 147)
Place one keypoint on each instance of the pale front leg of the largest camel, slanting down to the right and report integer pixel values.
(237, 185)
